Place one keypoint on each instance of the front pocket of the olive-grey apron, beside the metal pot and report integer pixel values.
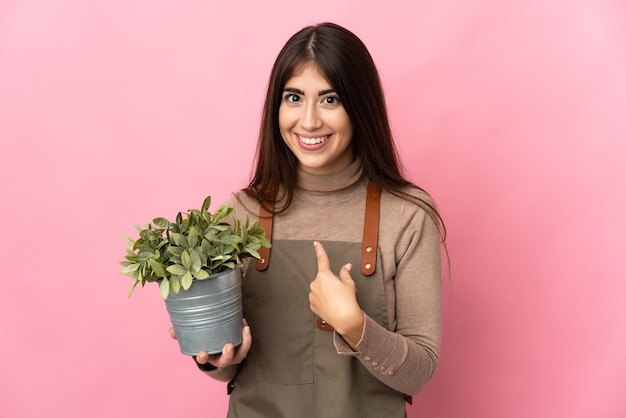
(283, 341)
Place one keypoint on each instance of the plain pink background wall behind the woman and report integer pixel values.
(511, 113)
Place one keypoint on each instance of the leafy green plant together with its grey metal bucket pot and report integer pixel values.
(197, 261)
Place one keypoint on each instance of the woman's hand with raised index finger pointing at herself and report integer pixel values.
(333, 298)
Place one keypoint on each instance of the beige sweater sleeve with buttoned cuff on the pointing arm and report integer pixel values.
(406, 357)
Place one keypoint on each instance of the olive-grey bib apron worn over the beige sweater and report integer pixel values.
(293, 369)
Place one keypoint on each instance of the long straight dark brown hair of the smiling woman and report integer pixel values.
(349, 68)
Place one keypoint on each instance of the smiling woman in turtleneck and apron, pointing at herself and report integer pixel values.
(344, 313)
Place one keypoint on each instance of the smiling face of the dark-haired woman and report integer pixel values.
(314, 124)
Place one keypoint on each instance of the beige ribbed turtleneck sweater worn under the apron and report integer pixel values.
(404, 357)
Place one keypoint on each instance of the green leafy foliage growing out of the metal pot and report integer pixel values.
(195, 246)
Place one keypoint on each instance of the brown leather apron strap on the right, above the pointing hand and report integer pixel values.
(370, 230)
